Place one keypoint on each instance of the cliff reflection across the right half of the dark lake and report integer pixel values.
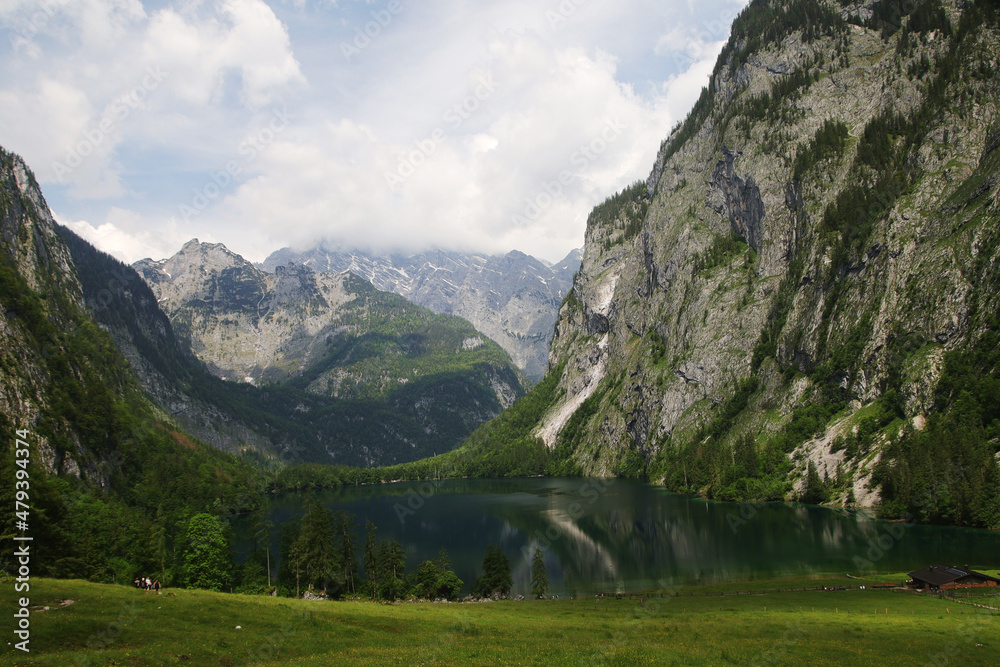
(635, 536)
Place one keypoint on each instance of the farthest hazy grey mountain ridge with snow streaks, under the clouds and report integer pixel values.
(513, 298)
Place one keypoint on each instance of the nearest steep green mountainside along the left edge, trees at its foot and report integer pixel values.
(105, 477)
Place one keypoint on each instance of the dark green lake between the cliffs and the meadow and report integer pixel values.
(622, 535)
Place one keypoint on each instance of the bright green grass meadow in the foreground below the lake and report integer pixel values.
(118, 625)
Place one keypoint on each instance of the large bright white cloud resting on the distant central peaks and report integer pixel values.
(522, 162)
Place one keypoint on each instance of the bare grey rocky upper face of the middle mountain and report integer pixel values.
(248, 325)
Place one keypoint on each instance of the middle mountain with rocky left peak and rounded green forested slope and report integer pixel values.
(324, 365)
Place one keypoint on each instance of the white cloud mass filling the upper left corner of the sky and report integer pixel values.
(75, 93)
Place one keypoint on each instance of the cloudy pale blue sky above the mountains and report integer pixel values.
(383, 125)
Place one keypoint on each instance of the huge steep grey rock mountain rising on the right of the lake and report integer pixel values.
(801, 301)
